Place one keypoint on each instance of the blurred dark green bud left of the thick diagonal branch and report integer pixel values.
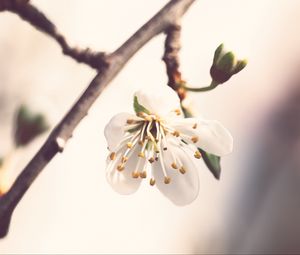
(28, 126)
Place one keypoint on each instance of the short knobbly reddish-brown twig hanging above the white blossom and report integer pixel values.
(171, 59)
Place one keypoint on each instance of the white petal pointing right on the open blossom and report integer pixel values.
(212, 136)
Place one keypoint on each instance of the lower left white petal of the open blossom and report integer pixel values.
(122, 181)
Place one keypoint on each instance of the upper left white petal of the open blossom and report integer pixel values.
(115, 129)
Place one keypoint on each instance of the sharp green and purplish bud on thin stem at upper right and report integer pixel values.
(225, 65)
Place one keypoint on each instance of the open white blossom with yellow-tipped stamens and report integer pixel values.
(159, 144)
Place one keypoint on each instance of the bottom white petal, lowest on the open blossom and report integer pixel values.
(183, 188)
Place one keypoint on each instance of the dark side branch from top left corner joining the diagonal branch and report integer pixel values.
(36, 18)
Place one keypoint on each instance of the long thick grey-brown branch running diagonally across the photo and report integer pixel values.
(56, 141)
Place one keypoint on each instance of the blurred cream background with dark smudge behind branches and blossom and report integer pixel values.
(70, 208)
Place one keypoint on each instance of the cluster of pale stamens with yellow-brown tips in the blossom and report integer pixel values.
(146, 138)
